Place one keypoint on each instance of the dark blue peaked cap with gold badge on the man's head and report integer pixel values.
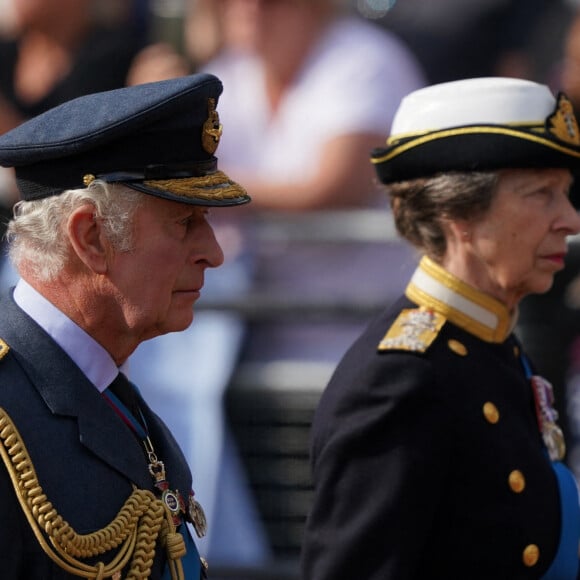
(158, 138)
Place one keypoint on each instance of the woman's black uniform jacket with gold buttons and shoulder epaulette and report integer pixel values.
(427, 457)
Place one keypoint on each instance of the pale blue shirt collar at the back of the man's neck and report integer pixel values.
(93, 360)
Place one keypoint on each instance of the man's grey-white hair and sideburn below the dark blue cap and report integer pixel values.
(37, 233)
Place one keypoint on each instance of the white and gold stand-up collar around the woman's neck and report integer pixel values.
(433, 287)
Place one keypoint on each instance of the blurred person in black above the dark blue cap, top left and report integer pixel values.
(56, 50)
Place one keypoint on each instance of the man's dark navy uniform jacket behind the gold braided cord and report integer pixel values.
(85, 458)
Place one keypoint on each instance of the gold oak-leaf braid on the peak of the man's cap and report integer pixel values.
(214, 186)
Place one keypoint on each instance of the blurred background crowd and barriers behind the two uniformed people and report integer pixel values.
(310, 87)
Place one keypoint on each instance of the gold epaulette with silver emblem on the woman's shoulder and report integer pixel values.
(413, 330)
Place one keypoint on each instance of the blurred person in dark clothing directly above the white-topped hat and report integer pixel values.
(453, 39)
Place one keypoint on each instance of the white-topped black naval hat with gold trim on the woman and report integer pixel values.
(479, 124)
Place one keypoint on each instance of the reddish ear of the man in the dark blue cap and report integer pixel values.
(87, 239)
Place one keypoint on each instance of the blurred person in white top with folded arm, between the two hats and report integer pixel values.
(309, 88)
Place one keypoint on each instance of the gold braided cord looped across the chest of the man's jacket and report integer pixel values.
(141, 522)
